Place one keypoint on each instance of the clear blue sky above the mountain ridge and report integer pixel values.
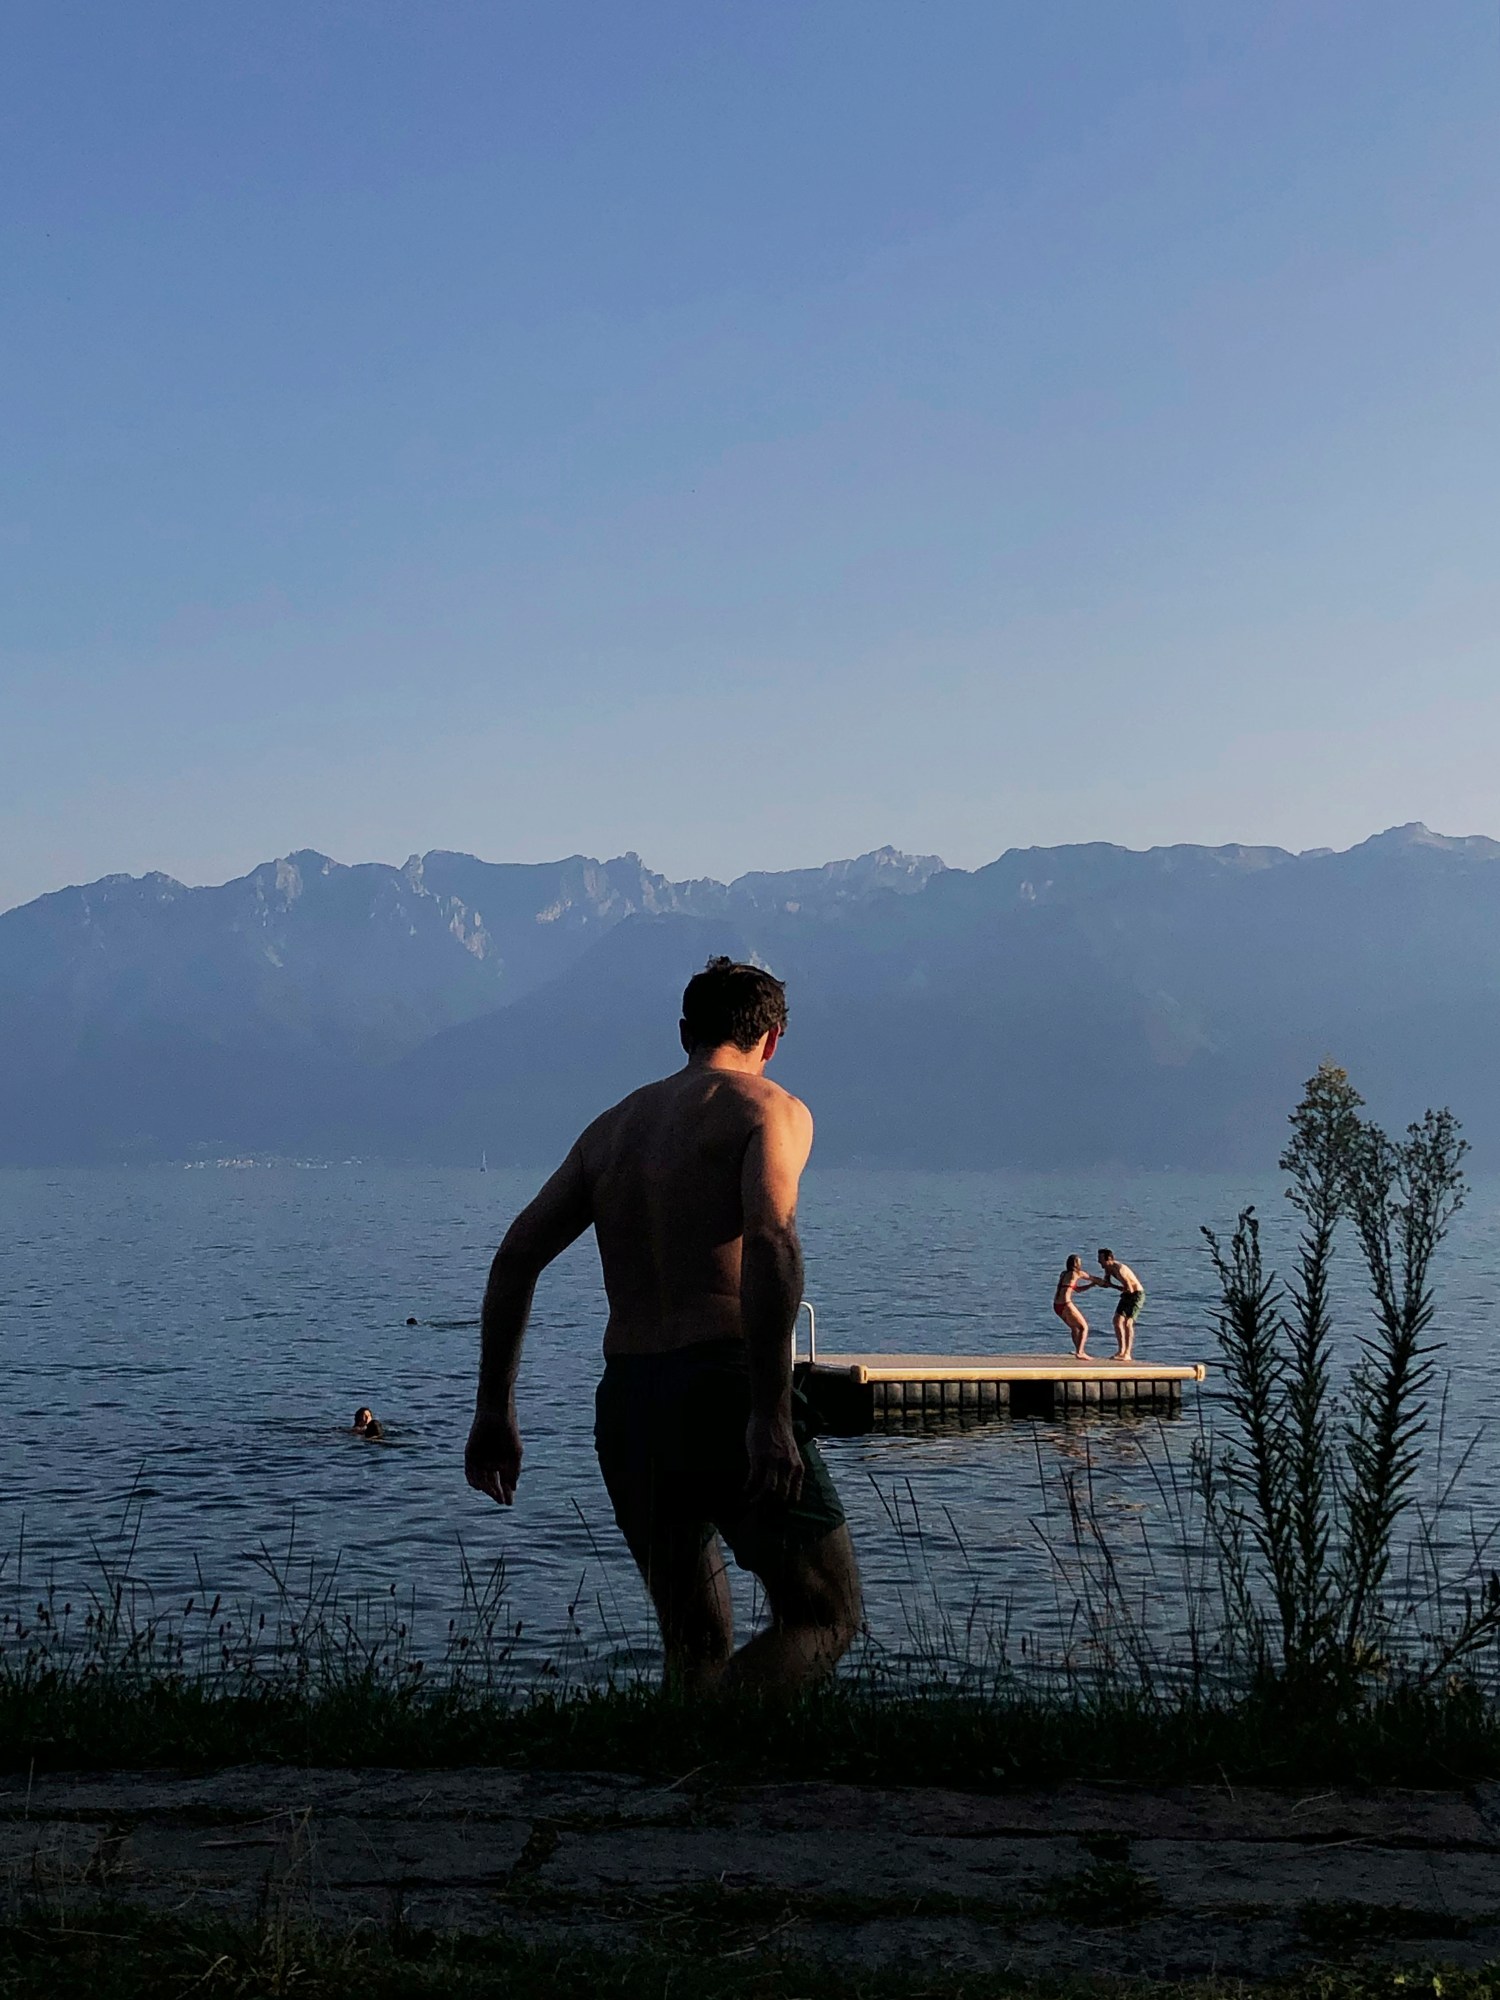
(743, 431)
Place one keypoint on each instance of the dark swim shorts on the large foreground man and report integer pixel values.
(669, 1431)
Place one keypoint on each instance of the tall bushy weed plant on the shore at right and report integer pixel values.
(1305, 1505)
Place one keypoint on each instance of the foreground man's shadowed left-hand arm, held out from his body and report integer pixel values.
(543, 1231)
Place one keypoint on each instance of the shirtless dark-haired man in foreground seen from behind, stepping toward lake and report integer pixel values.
(691, 1187)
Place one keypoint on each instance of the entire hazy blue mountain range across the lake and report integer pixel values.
(1059, 1009)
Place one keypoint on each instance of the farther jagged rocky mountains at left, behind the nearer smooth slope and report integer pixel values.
(141, 1017)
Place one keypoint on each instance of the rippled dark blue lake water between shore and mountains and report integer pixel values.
(201, 1339)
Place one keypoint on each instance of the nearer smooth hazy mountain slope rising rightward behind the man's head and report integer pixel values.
(1063, 1007)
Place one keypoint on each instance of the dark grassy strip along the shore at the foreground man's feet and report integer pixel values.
(845, 1735)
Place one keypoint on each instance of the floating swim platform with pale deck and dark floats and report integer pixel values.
(859, 1393)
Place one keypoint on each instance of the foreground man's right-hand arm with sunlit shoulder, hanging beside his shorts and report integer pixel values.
(771, 1293)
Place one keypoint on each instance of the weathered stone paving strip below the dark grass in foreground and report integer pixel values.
(1095, 1881)
